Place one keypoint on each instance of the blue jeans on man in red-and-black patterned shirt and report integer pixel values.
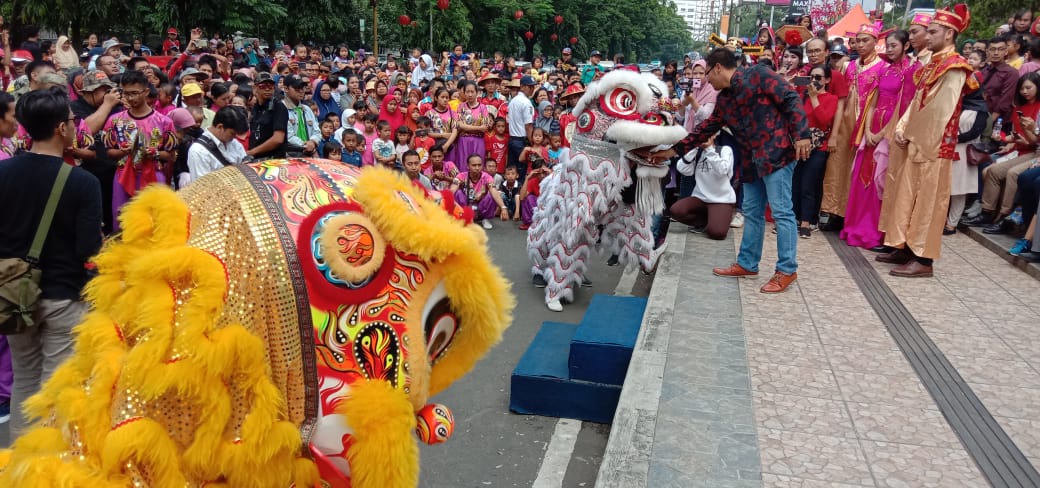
(775, 190)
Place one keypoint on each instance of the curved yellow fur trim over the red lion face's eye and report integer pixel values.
(480, 293)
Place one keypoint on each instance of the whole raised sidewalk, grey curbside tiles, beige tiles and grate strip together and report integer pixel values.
(839, 396)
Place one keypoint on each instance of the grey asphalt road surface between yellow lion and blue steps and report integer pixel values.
(492, 447)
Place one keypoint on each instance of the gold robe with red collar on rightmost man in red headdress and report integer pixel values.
(917, 198)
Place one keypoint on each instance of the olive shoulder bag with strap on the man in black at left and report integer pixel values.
(20, 278)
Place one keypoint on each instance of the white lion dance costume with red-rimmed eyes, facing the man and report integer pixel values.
(582, 204)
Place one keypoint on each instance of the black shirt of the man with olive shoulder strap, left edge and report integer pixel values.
(75, 233)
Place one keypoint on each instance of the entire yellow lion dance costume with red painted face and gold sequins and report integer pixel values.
(274, 325)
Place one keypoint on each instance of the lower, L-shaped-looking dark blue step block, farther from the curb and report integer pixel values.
(540, 384)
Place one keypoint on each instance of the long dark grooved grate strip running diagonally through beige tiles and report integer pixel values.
(996, 454)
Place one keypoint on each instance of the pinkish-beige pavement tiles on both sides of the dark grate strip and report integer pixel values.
(838, 404)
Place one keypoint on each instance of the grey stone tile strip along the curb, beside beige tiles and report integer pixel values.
(687, 426)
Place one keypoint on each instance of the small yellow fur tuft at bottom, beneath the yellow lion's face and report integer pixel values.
(384, 454)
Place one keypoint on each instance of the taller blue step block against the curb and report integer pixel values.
(604, 344)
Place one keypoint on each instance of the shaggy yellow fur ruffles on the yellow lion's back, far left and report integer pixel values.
(152, 340)
